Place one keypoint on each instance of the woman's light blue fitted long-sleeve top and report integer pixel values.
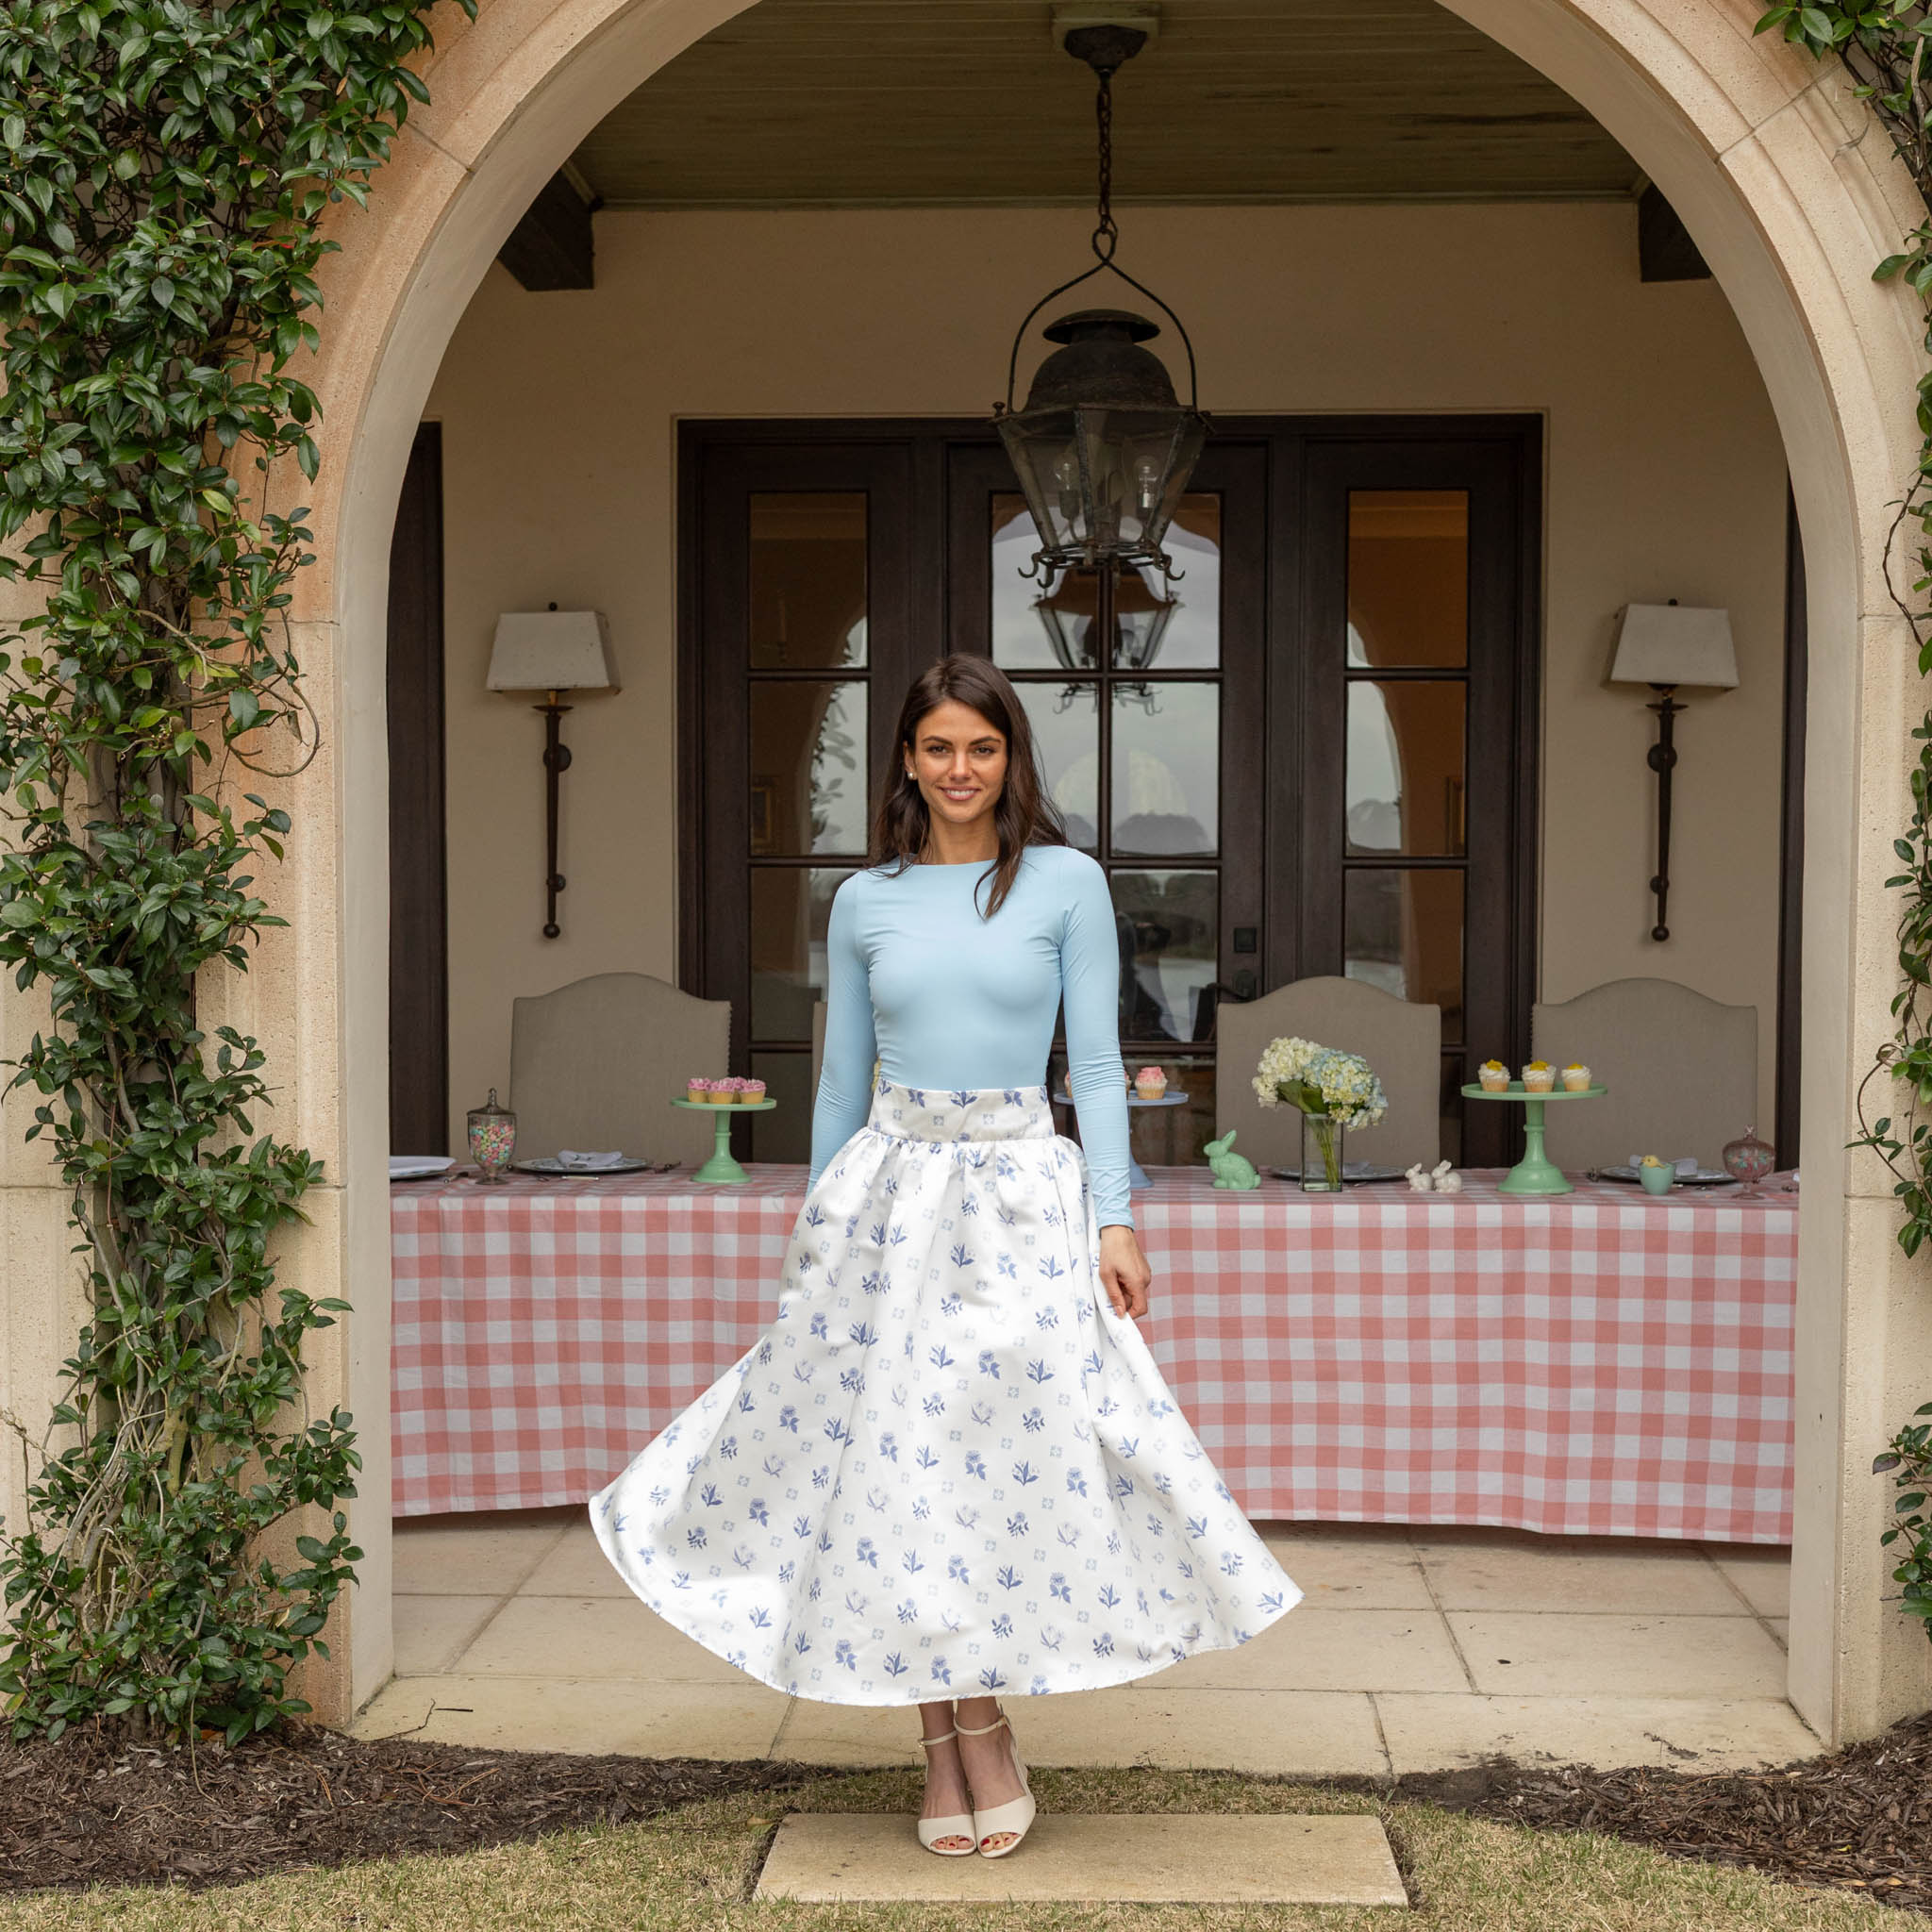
(946, 998)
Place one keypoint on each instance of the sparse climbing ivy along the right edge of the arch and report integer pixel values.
(1887, 51)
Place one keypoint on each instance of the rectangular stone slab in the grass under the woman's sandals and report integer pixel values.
(1156, 1858)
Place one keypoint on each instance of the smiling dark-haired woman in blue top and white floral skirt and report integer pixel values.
(952, 1467)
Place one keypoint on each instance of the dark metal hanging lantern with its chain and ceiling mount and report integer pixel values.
(1104, 449)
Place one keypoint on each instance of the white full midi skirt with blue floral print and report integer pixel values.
(948, 1467)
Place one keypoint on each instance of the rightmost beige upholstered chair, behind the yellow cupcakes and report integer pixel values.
(1682, 1073)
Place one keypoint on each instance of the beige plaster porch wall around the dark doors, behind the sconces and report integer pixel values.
(1666, 480)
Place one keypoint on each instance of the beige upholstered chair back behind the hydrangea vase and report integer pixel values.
(1400, 1038)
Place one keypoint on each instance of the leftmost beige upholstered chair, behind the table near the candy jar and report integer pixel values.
(598, 1064)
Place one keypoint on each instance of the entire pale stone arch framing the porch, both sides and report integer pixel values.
(1790, 192)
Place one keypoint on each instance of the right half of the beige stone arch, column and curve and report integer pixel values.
(1790, 188)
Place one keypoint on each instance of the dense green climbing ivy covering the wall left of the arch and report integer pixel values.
(165, 167)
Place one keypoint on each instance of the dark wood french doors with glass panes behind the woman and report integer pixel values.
(1309, 754)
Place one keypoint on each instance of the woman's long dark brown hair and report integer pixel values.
(1023, 814)
